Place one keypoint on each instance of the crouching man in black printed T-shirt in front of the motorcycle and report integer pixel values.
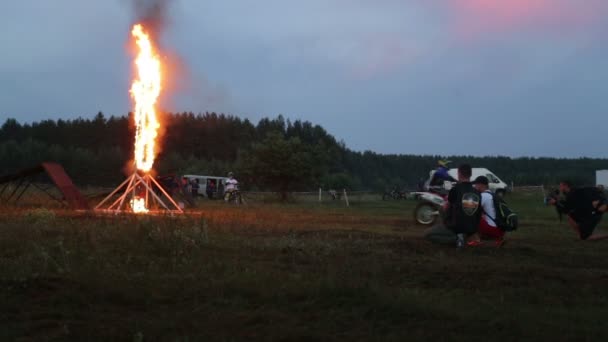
(463, 211)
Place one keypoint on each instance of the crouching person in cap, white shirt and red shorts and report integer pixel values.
(488, 229)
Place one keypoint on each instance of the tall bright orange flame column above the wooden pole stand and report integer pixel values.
(145, 91)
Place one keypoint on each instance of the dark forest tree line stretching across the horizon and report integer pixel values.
(272, 154)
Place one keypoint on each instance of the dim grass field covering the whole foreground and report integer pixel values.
(302, 271)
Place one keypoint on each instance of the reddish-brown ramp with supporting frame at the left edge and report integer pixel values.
(58, 176)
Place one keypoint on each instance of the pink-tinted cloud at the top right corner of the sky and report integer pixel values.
(478, 17)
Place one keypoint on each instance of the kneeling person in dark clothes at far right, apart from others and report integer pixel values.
(584, 207)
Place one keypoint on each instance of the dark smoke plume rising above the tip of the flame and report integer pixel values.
(153, 14)
